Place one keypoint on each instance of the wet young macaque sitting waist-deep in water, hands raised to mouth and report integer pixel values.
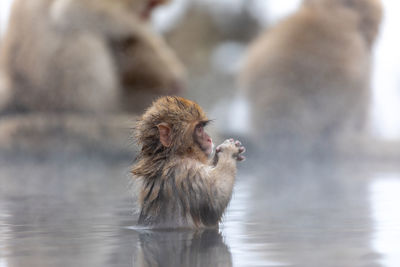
(181, 186)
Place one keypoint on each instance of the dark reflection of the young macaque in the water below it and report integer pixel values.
(181, 248)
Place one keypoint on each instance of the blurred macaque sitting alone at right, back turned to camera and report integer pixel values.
(307, 79)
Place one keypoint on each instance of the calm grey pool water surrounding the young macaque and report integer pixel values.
(79, 212)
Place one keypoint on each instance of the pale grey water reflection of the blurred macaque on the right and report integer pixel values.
(308, 215)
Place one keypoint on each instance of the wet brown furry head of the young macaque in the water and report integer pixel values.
(174, 126)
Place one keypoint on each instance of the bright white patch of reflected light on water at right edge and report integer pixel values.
(385, 200)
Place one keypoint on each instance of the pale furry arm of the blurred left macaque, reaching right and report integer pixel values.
(109, 18)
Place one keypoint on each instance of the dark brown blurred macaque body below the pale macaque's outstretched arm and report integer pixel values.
(148, 66)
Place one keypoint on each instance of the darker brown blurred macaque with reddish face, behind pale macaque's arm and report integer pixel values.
(147, 66)
